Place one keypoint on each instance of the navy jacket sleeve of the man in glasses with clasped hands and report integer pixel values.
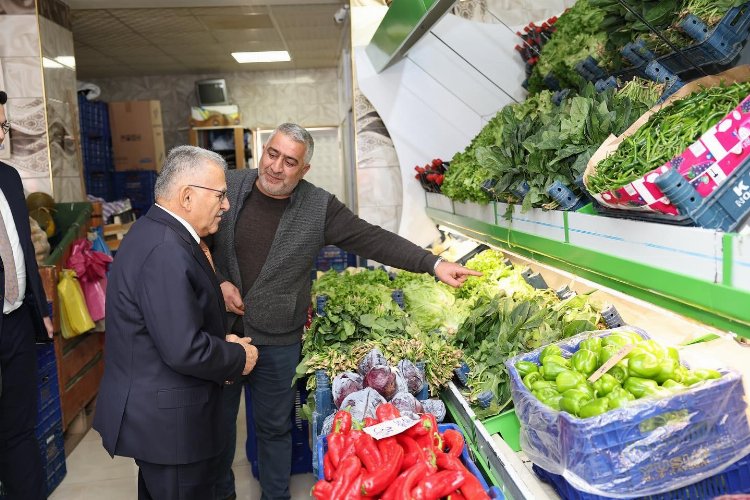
(175, 317)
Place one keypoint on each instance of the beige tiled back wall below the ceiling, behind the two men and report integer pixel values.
(265, 98)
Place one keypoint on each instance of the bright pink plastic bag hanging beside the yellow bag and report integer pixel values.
(91, 268)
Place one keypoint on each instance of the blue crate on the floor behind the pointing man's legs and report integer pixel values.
(301, 452)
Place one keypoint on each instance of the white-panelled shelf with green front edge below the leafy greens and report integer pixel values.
(699, 273)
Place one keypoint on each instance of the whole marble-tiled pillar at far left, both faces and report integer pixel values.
(39, 139)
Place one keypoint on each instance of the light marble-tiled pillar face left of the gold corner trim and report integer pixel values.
(22, 80)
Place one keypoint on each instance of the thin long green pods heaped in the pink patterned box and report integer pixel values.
(666, 134)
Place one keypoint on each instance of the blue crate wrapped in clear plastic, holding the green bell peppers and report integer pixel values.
(640, 448)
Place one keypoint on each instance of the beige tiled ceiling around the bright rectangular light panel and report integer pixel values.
(141, 37)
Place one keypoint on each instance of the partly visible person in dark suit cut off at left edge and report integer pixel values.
(25, 318)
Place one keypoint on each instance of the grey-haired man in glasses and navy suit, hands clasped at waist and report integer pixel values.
(167, 355)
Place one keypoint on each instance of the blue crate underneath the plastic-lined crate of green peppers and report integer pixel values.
(732, 480)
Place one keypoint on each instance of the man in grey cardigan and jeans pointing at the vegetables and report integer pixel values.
(264, 251)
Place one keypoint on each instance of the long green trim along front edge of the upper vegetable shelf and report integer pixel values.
(714, 304)
